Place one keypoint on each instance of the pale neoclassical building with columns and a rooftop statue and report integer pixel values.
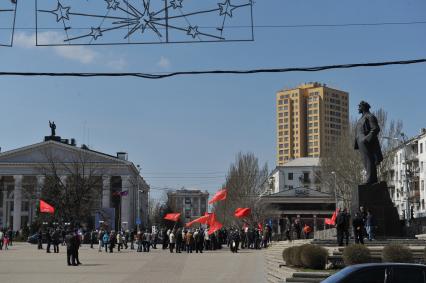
(23, 175)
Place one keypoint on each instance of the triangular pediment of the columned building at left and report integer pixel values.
(49, 151)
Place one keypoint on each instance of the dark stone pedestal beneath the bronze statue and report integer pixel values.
(376, 198)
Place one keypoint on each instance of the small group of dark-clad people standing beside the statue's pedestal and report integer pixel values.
(363, 225)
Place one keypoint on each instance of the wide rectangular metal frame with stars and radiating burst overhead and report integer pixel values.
(81, 22)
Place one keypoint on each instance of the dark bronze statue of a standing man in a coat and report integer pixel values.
(367, 142)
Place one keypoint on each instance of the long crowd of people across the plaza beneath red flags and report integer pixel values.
(175, 240)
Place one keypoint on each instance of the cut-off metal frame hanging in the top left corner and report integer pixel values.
(7, 21)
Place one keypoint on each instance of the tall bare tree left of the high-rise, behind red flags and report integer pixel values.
(244, 184)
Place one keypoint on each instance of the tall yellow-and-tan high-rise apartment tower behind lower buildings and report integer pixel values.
(310, 119)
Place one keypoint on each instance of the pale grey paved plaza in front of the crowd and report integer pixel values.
(24, 263)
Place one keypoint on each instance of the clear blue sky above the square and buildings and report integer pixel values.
(185, 131)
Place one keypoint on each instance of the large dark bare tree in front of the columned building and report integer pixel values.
(73, 185)
